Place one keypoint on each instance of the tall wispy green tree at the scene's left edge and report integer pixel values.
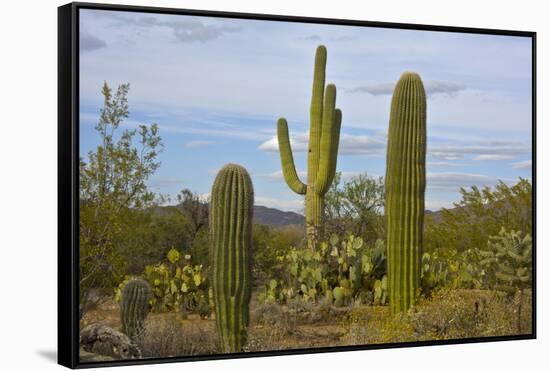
(113, 183)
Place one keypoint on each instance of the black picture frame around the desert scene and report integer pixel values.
(68, 187)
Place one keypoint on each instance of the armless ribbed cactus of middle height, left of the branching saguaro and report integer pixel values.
(231, 205)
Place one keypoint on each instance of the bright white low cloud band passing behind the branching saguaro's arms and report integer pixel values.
(349, 144)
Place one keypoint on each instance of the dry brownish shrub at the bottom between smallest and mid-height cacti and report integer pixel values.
(167, 336)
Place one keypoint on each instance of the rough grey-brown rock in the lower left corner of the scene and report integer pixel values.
(105, 341)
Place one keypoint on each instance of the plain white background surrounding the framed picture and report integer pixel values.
(28, 155)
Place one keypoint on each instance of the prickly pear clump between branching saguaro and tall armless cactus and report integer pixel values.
(341, 270)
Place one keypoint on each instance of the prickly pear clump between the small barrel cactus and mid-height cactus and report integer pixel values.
(177, 284)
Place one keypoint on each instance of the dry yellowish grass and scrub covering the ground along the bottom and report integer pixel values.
(448, 314)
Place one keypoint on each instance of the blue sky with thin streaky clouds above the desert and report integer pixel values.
(216, 87)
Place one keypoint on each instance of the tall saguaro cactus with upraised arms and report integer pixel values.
(324, 135)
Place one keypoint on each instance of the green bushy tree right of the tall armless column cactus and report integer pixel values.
(456, 239)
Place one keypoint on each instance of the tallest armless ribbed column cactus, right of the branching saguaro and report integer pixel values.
(405, 187)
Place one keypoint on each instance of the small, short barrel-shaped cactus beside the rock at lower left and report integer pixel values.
(134, 307)
